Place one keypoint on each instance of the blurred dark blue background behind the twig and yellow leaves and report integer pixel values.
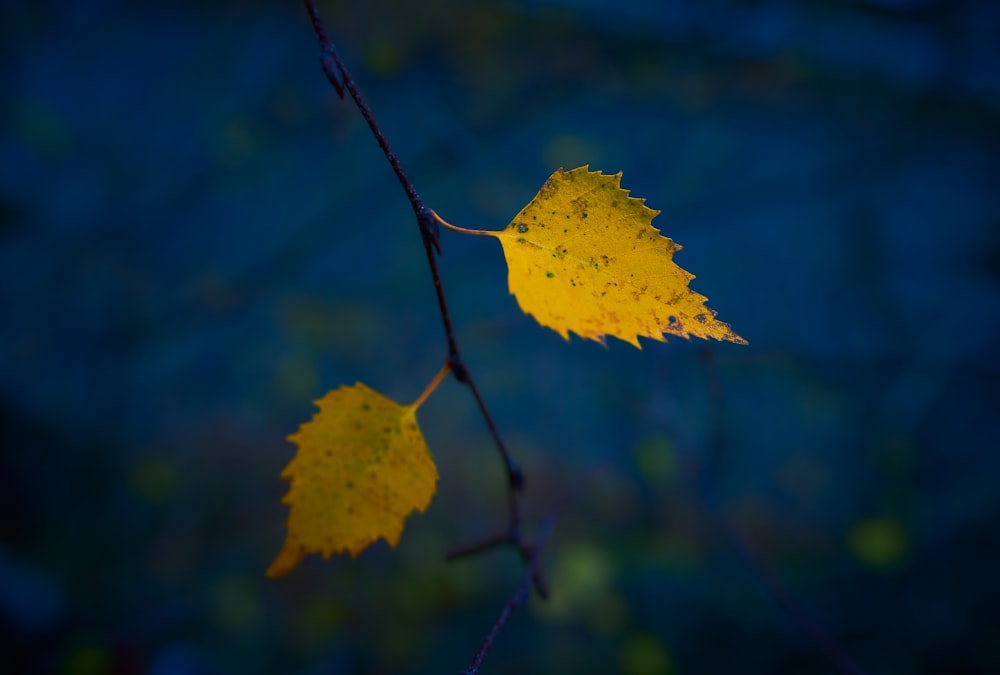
(198, 239)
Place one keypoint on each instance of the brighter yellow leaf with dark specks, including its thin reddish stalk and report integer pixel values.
(584, 257)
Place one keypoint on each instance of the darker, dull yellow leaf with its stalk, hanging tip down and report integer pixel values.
(361, 468)
